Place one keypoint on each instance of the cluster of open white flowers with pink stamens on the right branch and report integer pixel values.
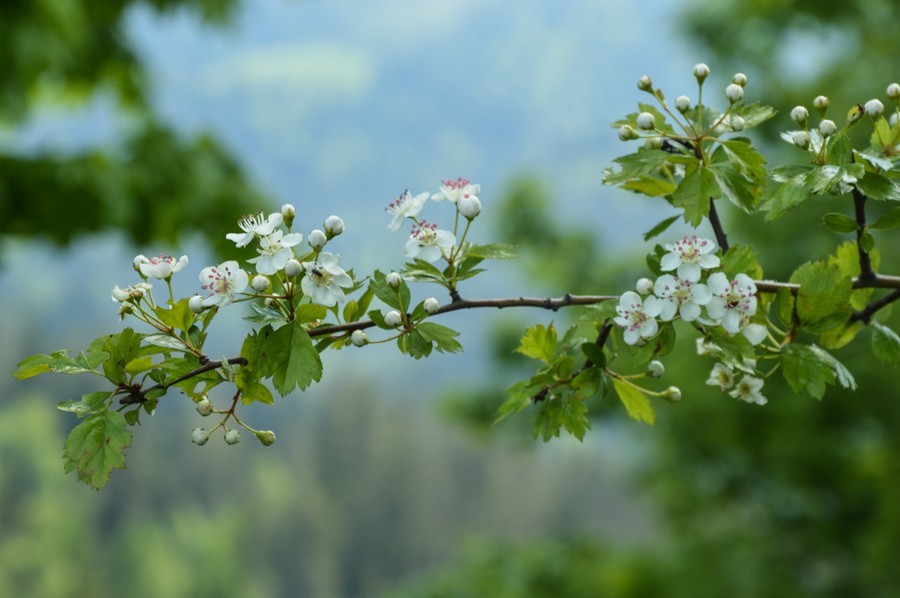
(730, 303)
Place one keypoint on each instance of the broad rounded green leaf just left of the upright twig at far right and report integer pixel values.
(823, 301)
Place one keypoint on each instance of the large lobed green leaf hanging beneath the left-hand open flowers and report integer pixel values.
(290, 358)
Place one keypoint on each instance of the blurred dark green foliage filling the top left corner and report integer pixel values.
(151, 183)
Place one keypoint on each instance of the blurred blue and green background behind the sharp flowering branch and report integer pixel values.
(138, 127)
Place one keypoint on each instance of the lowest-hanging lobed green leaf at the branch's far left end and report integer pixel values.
(96, 446)
